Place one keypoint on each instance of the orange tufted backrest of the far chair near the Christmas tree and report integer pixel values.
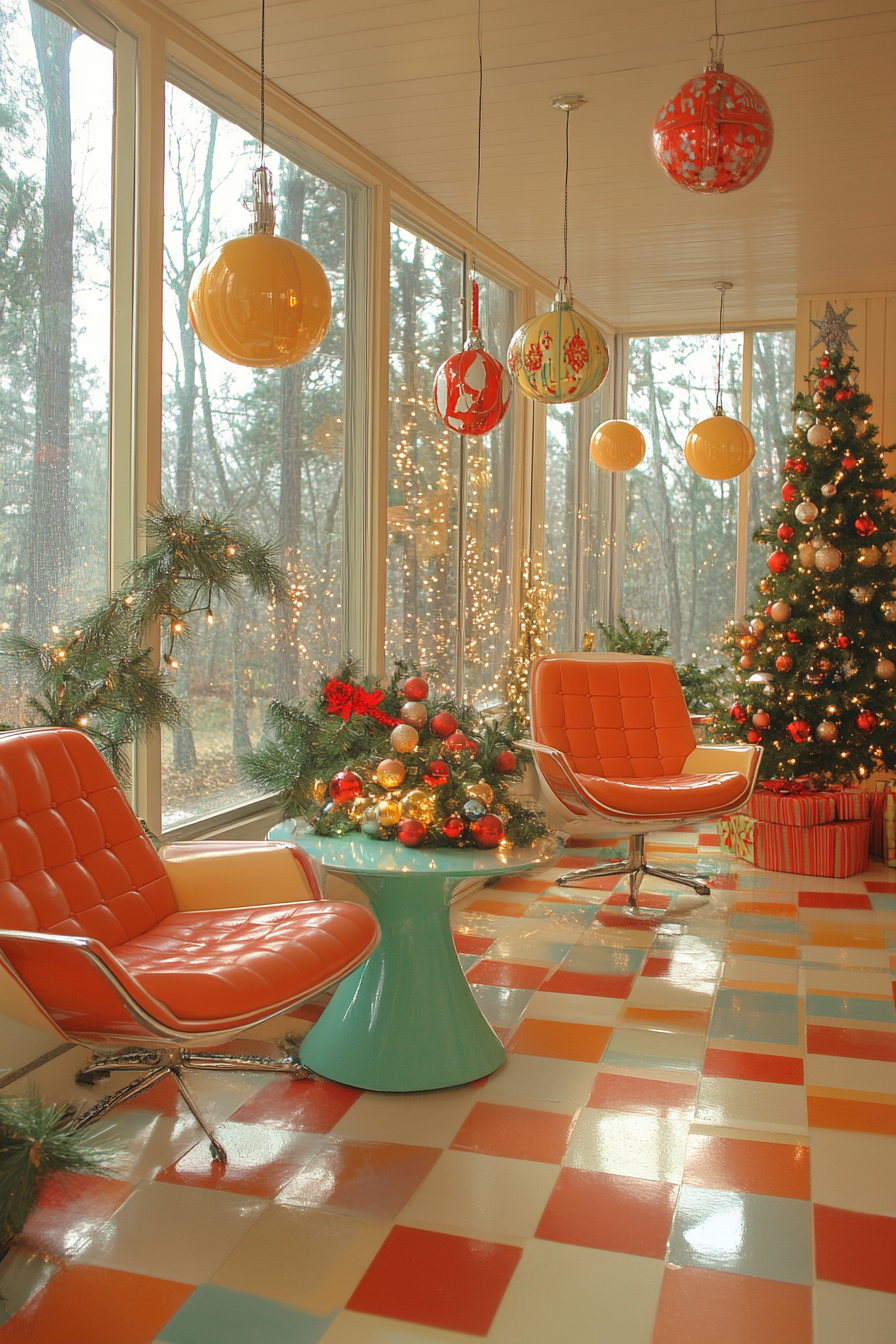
(615, 716)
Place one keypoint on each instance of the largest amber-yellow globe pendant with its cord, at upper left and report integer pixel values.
(261, 302)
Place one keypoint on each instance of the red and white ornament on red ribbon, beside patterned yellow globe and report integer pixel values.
(472, 392)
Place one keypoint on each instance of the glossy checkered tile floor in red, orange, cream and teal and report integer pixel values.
(694, 1142)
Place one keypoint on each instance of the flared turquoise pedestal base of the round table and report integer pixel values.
(406, 1021)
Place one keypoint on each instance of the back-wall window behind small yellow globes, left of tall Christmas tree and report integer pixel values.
(687, 557)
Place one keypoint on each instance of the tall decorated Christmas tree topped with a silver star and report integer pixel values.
(816, 663)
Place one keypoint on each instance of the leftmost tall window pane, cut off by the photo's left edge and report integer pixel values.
(56, 236)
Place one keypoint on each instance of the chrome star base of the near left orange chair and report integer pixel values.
(154, 1065)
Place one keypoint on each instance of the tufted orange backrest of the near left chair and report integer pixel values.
(73, 857)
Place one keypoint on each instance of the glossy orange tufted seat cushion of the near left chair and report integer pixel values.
(229, 964)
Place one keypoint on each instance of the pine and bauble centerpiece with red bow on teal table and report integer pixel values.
(393, 764)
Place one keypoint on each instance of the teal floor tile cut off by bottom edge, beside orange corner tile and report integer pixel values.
(222, 1316)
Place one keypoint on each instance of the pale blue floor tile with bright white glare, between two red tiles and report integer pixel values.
(760, 1236)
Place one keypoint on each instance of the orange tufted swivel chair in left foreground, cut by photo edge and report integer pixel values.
(122, 946)
